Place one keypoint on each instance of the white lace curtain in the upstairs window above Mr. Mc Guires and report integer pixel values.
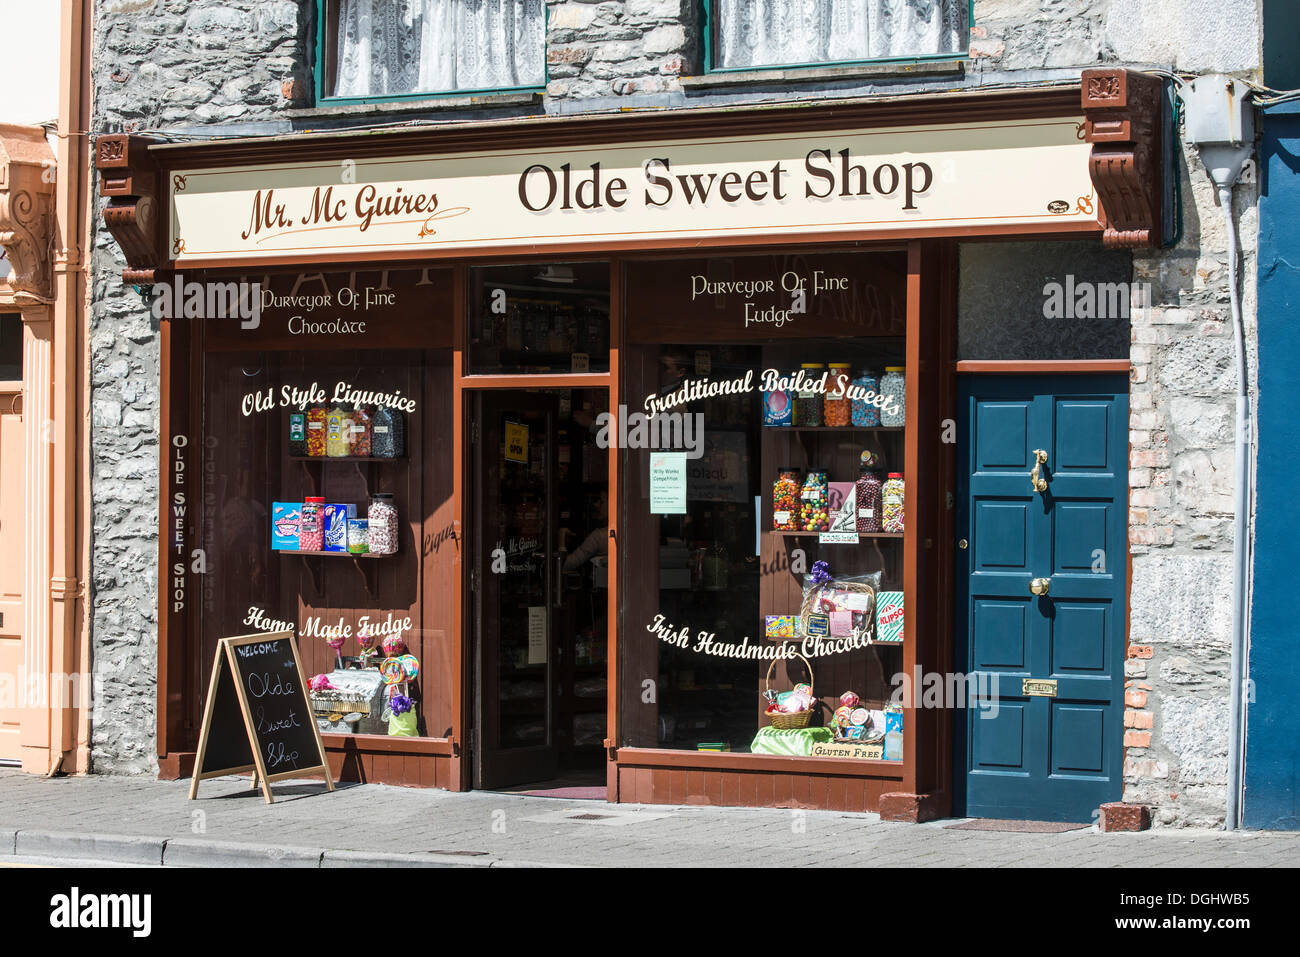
(392, 47)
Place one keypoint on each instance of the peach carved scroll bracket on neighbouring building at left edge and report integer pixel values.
(27, 210)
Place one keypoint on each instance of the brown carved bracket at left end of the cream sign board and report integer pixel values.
(129, 177)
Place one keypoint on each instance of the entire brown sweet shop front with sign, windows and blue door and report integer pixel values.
(636, 453)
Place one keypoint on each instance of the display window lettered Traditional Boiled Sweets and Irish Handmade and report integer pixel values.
(762, 513)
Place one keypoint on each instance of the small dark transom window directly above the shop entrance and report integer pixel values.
(549, 318)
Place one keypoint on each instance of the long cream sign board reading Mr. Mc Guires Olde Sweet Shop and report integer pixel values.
(973, 177)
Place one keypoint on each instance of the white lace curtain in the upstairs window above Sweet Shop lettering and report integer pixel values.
(768, 33)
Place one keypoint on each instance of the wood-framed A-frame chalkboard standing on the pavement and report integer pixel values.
(259, 717)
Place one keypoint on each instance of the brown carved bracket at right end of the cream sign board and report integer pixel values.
(1123, 112)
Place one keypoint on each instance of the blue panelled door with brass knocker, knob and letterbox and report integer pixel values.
(1042, 594)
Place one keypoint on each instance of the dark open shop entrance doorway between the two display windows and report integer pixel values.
(539, 575)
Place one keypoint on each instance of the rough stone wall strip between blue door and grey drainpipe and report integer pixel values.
(1181, 480)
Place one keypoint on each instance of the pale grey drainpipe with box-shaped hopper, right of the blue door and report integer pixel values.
(1221, 127)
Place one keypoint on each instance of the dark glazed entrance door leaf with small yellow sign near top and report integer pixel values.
(517, 583)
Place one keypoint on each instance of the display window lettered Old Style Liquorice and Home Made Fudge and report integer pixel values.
(327, 506)
